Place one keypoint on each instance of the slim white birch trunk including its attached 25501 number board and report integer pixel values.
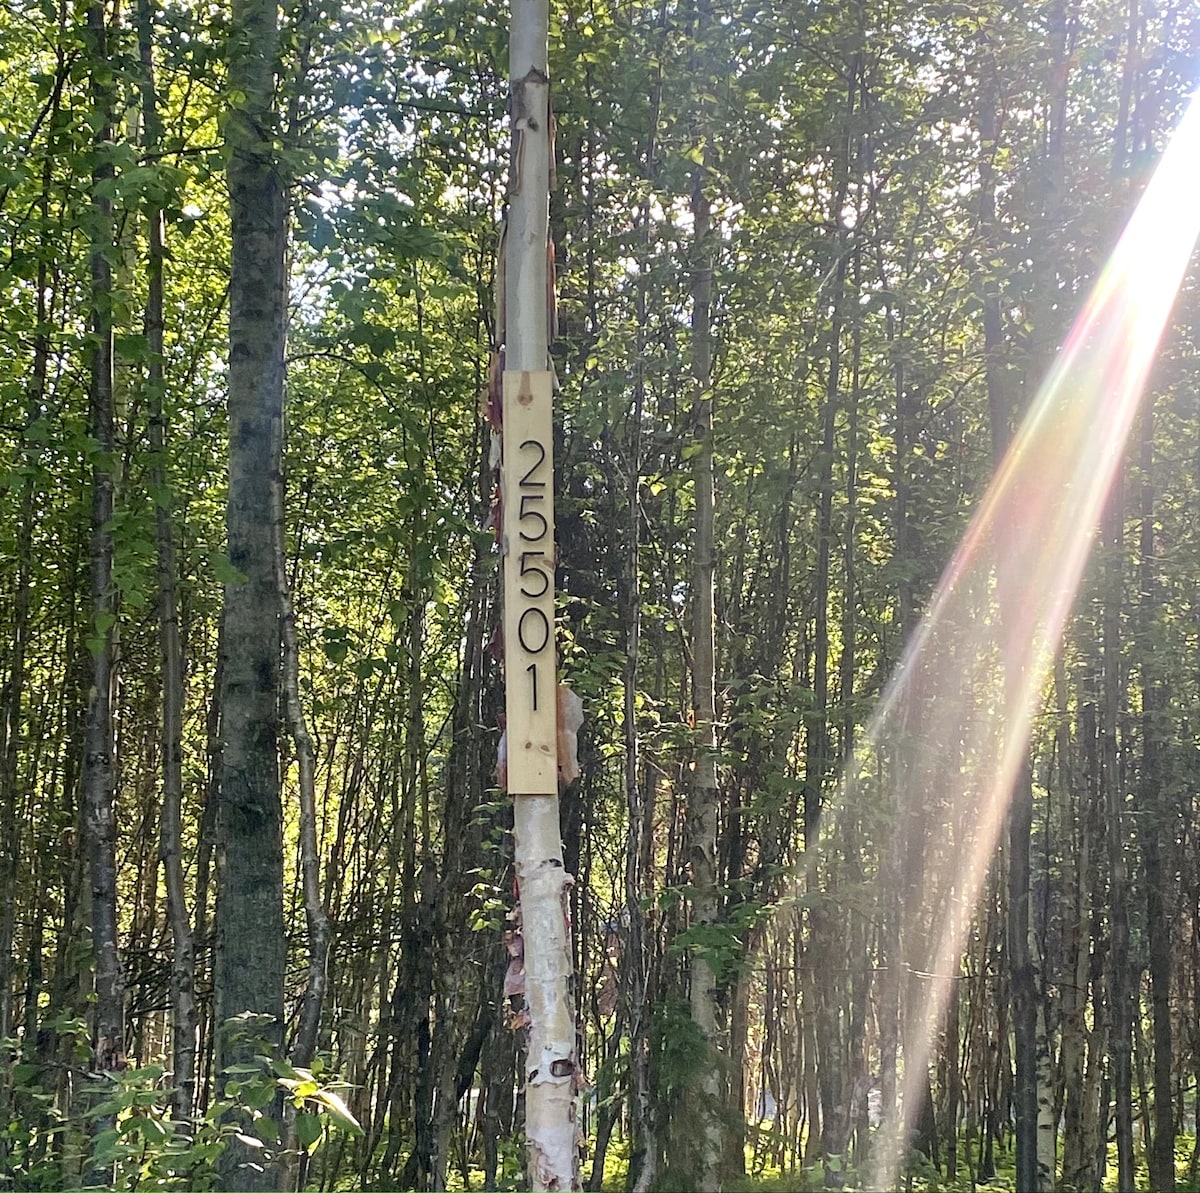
(529, 551)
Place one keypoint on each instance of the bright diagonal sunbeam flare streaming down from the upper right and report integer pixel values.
(955, 722)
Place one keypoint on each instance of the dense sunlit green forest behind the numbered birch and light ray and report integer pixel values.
(825, 250)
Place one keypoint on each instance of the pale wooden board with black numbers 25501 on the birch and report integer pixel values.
(527, 497)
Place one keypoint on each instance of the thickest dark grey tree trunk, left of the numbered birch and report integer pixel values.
(251, 943)
